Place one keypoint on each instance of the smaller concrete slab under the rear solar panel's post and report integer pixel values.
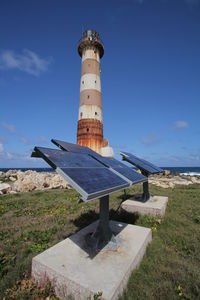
(155, 206)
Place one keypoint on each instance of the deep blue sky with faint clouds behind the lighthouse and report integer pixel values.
(150, 76)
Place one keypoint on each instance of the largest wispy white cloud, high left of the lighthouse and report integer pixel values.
(28, 62)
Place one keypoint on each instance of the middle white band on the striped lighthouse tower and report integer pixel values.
(90, 82)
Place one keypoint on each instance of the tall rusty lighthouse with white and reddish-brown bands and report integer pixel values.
(90, 119)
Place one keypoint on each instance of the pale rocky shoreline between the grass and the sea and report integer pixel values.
(14, 181)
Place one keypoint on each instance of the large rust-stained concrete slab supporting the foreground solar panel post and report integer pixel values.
(74, 272)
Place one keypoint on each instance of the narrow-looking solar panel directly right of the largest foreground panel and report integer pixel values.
(121, 169)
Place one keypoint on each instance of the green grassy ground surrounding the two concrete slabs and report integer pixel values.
(32, 222)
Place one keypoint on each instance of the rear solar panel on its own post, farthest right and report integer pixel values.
(142, 164)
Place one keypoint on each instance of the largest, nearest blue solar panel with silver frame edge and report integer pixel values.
(88, 176)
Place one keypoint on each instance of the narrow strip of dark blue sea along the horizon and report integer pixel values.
(187, 171)
